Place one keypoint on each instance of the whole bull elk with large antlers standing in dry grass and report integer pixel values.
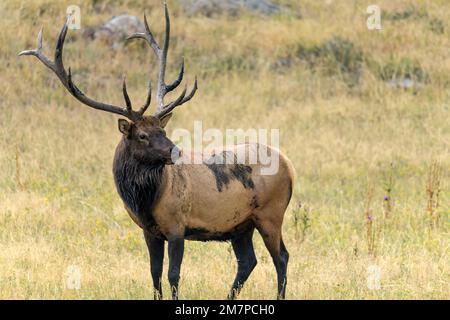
(176, 202)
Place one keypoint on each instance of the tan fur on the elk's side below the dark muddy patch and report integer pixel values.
(183, 206)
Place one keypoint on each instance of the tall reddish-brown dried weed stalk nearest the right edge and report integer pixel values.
(433, 190)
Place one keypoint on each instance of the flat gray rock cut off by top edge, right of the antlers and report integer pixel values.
(231, 7)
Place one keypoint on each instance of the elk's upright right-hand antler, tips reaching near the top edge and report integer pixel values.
(164, 88)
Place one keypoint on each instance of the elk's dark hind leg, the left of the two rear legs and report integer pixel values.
(246, 260)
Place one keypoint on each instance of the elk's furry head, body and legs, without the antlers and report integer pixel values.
(206, 201)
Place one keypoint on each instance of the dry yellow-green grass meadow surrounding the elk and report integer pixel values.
(361, 224)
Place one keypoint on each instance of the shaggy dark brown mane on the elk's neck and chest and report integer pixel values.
(137, 184)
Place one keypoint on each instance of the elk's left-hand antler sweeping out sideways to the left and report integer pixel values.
(65, 77)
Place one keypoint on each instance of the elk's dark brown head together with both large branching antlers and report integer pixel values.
(144, 135)
